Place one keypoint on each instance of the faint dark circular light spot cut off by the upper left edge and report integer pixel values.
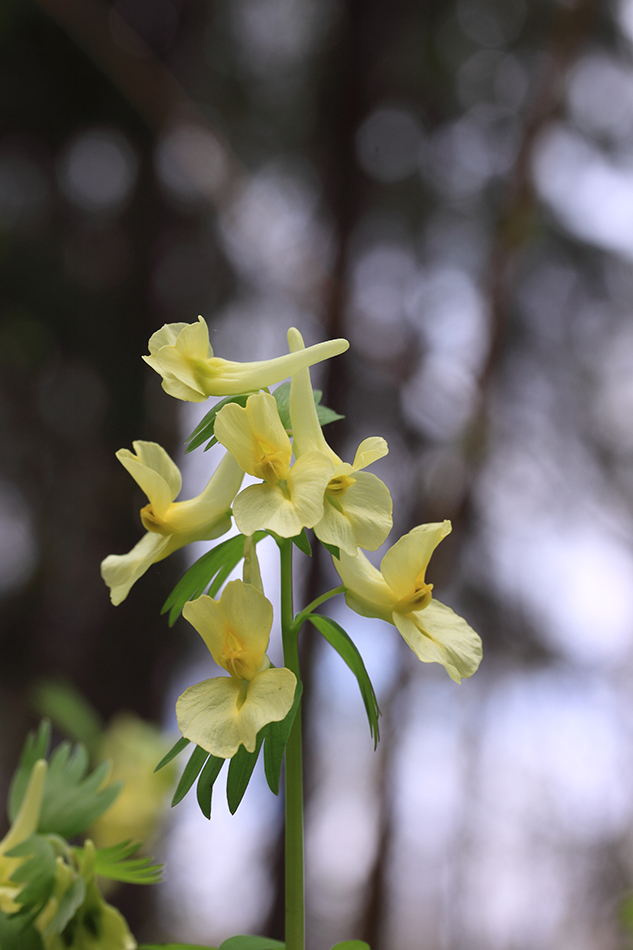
(24, 192)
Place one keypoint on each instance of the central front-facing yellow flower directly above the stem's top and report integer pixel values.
(290, 496)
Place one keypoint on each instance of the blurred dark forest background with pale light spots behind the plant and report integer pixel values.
(450, 186)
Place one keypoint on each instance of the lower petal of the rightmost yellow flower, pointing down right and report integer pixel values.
(438, 635)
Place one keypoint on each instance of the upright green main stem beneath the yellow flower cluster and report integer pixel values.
(295, 897)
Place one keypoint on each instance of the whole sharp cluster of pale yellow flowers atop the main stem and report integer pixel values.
(301, 484)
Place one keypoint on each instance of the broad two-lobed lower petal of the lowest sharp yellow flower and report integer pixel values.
(208, 713)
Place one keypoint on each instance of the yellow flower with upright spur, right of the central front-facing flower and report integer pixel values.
(357, 506)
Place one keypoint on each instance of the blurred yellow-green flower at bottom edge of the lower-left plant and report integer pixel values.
(95, 925)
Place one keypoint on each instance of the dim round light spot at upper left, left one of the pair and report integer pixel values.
(98, 171)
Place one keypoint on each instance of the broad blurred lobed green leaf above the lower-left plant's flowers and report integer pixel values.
(74, 799)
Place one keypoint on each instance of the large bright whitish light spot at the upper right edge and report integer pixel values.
(590, 193)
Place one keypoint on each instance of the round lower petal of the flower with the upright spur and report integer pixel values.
(364, 519)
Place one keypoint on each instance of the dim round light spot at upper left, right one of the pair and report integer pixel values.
(191, 162)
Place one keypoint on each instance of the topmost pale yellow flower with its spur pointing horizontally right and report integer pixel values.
(182, 355)
